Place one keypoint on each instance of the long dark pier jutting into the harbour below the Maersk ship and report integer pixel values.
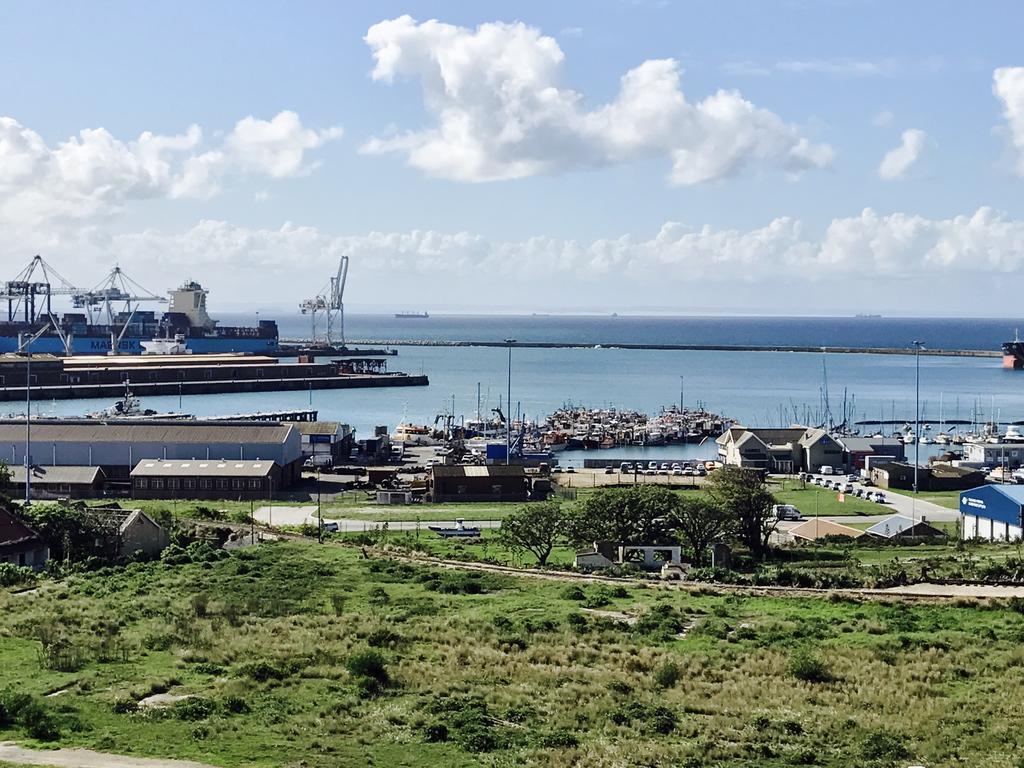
(69, 378)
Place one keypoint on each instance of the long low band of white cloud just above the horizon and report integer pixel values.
(284, 264)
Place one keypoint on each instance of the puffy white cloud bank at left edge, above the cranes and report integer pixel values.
(97, 175)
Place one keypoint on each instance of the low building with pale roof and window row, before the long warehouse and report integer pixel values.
(155, 479)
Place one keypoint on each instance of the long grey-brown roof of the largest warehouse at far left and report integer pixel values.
(90, 431)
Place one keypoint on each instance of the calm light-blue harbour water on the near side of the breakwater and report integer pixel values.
(755, 389)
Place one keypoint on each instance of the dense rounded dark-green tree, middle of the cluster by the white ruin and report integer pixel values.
(639, 515)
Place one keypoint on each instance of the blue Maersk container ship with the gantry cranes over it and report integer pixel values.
(109, 318)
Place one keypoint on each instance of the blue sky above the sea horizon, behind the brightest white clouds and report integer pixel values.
(846, 77)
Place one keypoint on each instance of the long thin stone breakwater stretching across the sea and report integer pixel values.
(670, 348)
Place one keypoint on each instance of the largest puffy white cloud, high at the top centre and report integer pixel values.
(501, 112)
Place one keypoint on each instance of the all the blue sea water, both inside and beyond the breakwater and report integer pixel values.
(756, 389)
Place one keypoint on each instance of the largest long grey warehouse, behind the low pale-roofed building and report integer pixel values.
(117, 446)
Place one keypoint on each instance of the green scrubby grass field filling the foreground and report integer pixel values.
(486, 671)
